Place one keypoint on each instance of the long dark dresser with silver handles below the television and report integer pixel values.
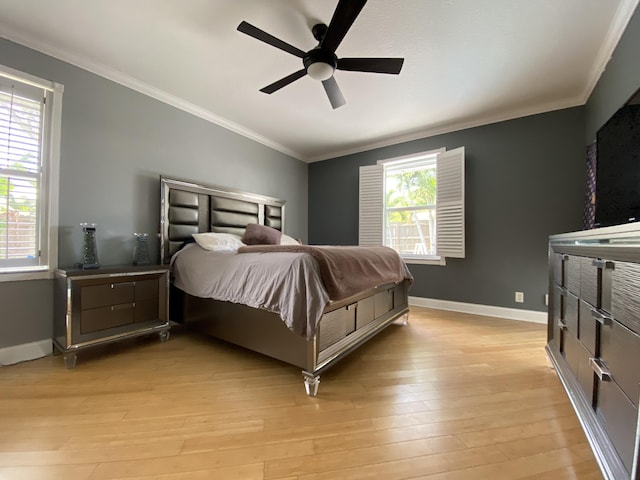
(594, 338)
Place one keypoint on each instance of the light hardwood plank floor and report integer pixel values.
(449, 396)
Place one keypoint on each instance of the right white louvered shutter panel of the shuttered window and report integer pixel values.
(450, 234)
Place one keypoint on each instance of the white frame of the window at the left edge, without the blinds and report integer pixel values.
(49, 184)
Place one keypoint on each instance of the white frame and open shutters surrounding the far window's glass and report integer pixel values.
(450, 230)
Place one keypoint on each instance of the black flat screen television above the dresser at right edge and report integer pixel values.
(618, 167)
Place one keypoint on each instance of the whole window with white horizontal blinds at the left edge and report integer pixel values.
(30, 112)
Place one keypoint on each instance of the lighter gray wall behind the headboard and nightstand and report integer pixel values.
(115, 145)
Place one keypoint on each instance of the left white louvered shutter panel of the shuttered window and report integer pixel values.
(371, 209)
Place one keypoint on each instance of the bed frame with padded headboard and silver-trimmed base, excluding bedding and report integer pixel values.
(344, 325)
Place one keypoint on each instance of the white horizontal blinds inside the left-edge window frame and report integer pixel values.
(21, 120)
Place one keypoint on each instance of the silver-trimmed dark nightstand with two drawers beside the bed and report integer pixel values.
(102, 305)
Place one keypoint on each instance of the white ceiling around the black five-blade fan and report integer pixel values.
(467, 62)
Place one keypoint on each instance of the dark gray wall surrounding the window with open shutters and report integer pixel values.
(524, 181)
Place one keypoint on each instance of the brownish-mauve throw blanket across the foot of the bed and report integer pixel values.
(347, 270)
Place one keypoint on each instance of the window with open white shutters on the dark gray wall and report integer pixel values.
(415, 205)
